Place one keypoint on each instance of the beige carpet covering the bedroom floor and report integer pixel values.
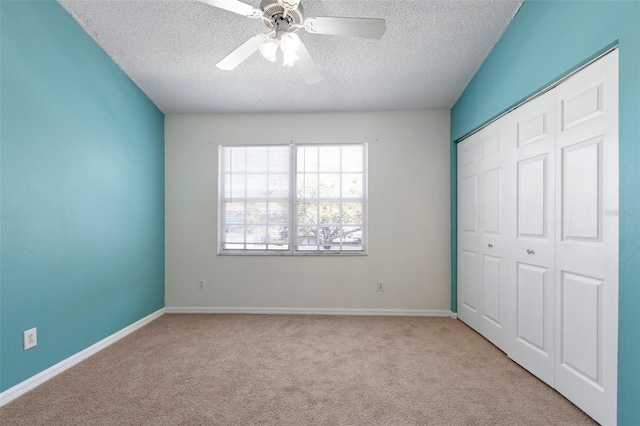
(296, 370)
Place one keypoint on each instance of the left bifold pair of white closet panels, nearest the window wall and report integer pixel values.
(486, 223)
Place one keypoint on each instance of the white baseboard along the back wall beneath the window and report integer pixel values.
(310, 311)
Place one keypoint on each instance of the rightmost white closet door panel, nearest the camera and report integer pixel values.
(587, 239)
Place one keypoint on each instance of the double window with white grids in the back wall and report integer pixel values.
(292, 199)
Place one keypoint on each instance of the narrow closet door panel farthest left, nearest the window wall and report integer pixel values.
(468, 232)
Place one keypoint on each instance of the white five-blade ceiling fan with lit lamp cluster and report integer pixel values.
(282, 19)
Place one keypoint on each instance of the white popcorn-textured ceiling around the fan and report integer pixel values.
(424, 61)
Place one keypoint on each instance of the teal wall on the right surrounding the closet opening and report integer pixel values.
(545, 41)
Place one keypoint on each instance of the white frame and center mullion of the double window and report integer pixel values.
(293, 200)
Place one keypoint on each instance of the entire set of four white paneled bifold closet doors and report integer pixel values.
(538, 236)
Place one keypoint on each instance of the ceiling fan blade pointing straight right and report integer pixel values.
(350, 27)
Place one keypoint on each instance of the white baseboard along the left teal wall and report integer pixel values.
(31, 383)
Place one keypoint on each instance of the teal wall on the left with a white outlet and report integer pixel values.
(82, 185)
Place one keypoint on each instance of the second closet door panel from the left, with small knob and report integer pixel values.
(495, 213)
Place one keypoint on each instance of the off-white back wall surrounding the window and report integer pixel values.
(409, 215)
